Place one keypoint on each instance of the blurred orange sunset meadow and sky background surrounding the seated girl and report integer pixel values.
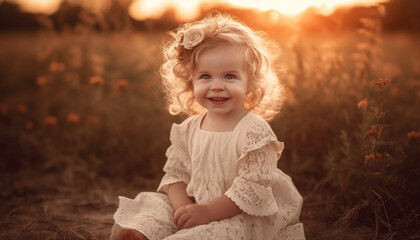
(83, 117)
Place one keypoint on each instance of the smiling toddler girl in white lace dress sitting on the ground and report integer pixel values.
(221, 178)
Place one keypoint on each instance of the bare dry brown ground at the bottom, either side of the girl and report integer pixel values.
(47, 206)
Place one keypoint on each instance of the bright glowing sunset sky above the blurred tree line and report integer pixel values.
(142, 9)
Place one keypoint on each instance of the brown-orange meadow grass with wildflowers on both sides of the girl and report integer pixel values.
(88, 104)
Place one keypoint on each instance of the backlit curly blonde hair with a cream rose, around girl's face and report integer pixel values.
(180, 54)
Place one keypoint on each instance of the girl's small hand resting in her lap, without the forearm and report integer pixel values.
(191, 215)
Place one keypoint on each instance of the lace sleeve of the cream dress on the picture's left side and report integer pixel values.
(178, 165)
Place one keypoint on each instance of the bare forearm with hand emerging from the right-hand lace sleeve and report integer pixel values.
(191, 215)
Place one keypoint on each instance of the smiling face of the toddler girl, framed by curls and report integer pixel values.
(220, 80)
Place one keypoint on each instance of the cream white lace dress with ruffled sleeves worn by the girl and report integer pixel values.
(242, 164)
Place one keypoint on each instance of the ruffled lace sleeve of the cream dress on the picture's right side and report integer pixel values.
(256, 170)
